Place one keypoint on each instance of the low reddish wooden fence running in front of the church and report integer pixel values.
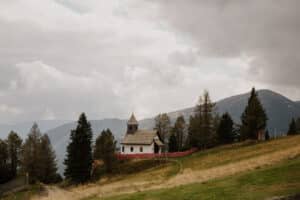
(155, 155)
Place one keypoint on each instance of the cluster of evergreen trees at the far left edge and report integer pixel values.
(33, 158)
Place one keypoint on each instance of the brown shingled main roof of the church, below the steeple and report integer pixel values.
(145, 137)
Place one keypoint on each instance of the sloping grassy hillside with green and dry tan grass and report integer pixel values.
(245, 170)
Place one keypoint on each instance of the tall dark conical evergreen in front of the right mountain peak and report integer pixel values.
(254, 118)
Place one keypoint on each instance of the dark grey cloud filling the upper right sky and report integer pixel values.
(267, 31)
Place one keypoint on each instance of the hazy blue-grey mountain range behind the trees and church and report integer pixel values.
(280, 111)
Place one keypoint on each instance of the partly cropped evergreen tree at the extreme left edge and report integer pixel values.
(4, 167)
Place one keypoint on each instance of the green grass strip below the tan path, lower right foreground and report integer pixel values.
(282, 179)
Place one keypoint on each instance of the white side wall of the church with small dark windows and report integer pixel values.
(137, 149)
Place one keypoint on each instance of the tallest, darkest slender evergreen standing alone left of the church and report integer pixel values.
(79, 152)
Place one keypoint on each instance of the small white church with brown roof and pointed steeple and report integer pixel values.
(138, 141)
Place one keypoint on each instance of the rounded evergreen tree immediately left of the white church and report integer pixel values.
(105, 149)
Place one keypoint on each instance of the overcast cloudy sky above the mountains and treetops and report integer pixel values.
(110, 58)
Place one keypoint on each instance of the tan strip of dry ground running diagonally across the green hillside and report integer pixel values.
(185, 177)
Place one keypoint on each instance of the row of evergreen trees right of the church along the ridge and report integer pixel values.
(207, 129)
